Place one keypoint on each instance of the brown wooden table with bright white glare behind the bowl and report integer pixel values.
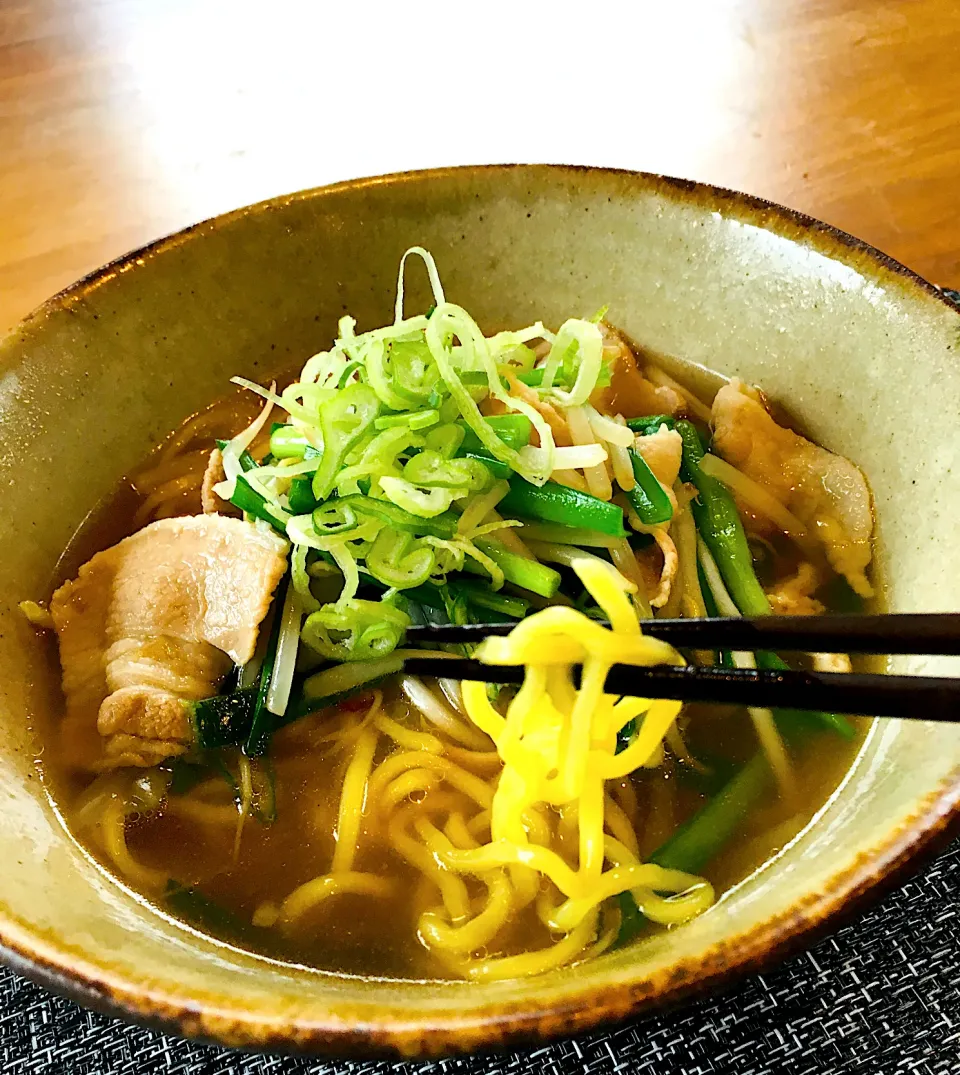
(124, 120)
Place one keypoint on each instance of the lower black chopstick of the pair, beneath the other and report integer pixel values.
(922, 698)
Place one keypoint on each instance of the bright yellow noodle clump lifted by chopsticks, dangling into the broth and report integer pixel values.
(558, 747)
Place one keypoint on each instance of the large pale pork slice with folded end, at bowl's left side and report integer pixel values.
(156, 621)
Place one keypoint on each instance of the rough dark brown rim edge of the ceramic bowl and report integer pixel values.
(936, 820)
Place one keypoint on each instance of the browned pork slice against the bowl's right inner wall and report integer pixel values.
(827, 493)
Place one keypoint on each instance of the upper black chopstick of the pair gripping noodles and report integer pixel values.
(898, 634)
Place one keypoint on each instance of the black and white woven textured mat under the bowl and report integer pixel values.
(880, 997)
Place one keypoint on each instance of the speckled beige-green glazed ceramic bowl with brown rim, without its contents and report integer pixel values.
(856, 346)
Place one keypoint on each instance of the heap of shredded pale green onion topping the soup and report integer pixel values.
(386, 471)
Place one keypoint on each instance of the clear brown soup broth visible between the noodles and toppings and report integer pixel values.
(231, 880)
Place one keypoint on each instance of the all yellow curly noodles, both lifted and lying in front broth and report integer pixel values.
(534, 818)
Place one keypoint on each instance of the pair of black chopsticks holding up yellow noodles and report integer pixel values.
(924, 698)
